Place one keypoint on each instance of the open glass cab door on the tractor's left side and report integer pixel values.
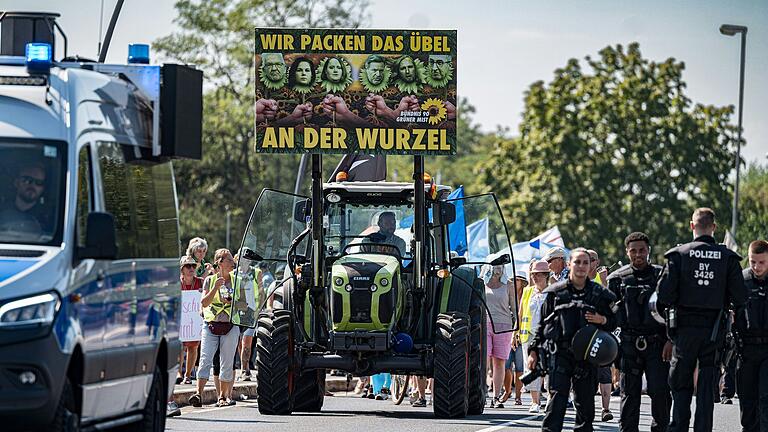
(276, 220)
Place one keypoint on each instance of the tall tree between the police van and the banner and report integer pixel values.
(218, 37)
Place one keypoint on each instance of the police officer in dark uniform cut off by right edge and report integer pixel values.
(752, 334)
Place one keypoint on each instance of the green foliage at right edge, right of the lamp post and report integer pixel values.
(753, 207)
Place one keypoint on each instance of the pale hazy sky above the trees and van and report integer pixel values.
(505, 45)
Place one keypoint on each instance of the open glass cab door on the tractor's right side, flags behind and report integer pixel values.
(478, 242)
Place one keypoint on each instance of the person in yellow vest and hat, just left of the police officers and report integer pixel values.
(530, 316)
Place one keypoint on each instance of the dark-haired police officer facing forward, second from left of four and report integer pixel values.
(644, 344)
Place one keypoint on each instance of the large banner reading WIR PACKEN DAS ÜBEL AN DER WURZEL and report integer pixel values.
(346, 91)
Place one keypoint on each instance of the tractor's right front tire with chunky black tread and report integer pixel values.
(451, 365)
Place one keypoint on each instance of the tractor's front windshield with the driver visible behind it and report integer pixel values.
(351, 224)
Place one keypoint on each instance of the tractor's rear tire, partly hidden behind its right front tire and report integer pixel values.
(478, 342)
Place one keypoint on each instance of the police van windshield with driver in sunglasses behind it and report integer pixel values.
(32, 176)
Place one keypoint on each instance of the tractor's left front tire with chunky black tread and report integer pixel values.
(275, 380)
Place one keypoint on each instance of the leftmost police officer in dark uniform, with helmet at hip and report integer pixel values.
(571, 304)
